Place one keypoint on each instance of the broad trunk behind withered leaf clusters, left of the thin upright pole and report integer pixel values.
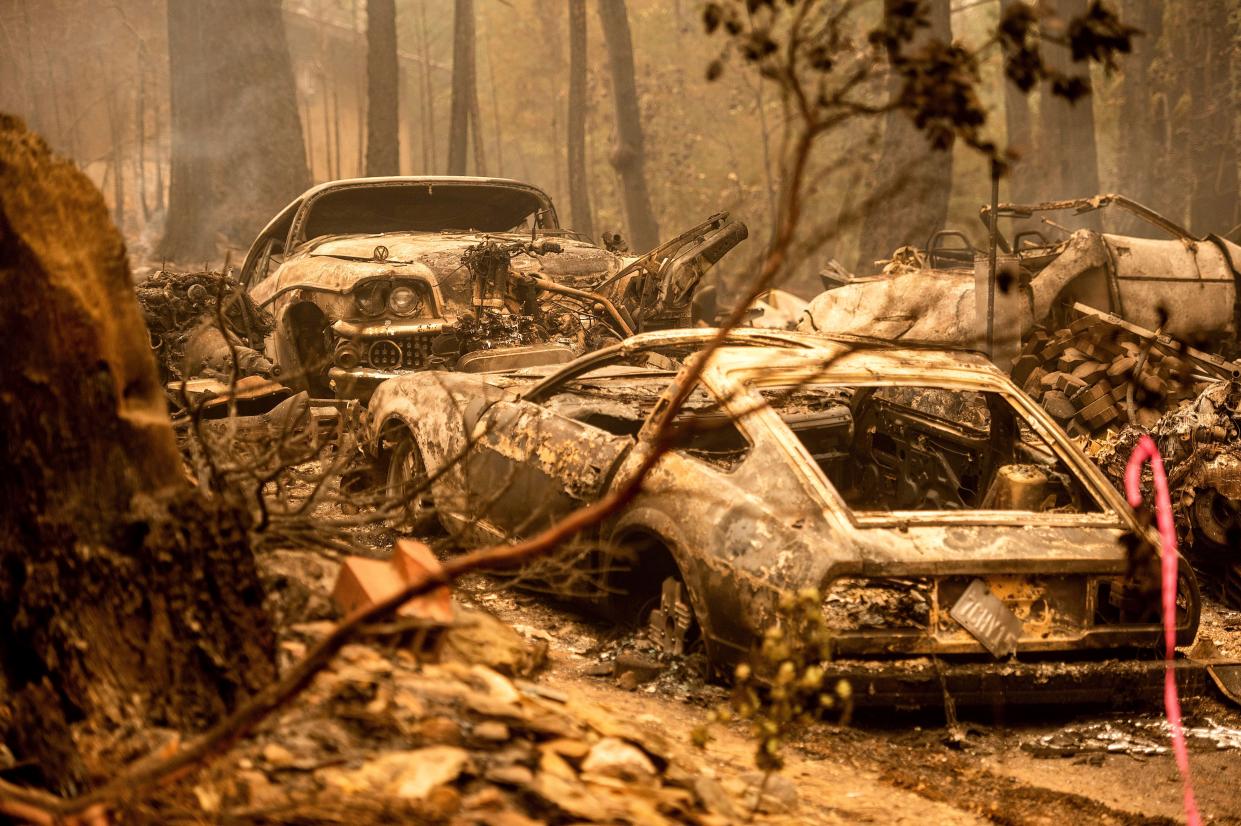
(913, 179)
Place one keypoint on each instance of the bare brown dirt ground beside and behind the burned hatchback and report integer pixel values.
(914, 768)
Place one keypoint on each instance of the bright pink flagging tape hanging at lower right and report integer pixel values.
(1146, 450)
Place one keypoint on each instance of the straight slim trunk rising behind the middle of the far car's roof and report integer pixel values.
(383, 140)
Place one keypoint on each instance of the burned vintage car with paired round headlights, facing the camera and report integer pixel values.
(373, 278)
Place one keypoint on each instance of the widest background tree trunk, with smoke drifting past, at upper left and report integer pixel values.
(238, 148)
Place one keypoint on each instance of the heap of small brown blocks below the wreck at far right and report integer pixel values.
(1096, 375)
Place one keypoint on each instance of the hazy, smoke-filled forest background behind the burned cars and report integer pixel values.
(265, 99)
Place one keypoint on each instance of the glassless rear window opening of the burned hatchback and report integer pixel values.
(929, 450)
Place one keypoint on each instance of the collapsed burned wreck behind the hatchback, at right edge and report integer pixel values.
(1183, 286)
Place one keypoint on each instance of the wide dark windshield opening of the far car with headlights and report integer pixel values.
(423, 208)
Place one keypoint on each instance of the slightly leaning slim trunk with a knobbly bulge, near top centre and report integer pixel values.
(630, 153)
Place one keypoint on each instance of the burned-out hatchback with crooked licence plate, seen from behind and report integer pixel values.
(956, 534)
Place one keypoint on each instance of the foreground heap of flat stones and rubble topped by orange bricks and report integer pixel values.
(440, 717)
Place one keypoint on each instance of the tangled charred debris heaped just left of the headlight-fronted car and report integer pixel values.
(184, 319)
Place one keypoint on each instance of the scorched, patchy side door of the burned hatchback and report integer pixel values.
(532, 466)
